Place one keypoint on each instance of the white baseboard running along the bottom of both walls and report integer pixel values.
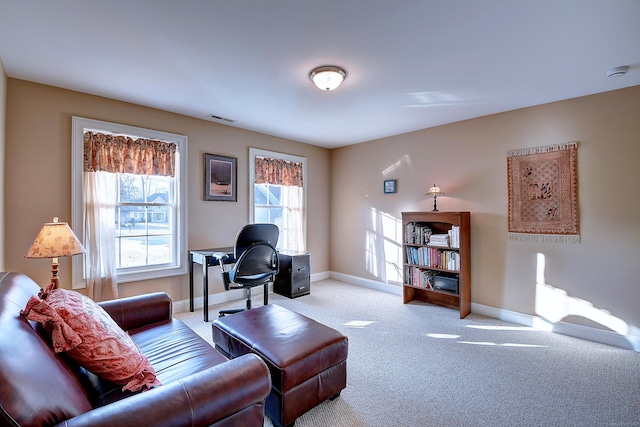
(631, 342)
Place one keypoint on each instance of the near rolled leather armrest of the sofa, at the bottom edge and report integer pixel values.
(200, 399)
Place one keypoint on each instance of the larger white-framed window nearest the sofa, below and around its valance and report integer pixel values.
(146, 213)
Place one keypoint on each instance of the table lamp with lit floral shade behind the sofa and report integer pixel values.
(56, 239)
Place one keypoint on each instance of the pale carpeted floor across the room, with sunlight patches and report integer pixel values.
(420, 365)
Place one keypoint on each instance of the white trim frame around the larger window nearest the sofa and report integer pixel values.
(79, 126)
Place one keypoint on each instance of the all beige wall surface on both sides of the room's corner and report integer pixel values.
(352, 226)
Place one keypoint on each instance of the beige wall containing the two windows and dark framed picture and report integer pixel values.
(38, 152)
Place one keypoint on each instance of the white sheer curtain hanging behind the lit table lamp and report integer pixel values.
(100, 190)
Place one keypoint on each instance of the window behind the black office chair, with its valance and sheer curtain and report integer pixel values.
(278, 195)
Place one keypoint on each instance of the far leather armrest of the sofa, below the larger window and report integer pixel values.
(141, 310)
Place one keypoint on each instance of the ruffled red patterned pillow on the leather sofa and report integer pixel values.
(91, 337)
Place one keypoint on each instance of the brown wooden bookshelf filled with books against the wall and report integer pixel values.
(437, 259)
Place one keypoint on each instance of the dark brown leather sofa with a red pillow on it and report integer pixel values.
(201, 387)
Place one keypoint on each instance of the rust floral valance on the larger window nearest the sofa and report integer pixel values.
(123, 154)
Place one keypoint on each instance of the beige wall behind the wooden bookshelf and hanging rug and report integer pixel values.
(468, 161)
